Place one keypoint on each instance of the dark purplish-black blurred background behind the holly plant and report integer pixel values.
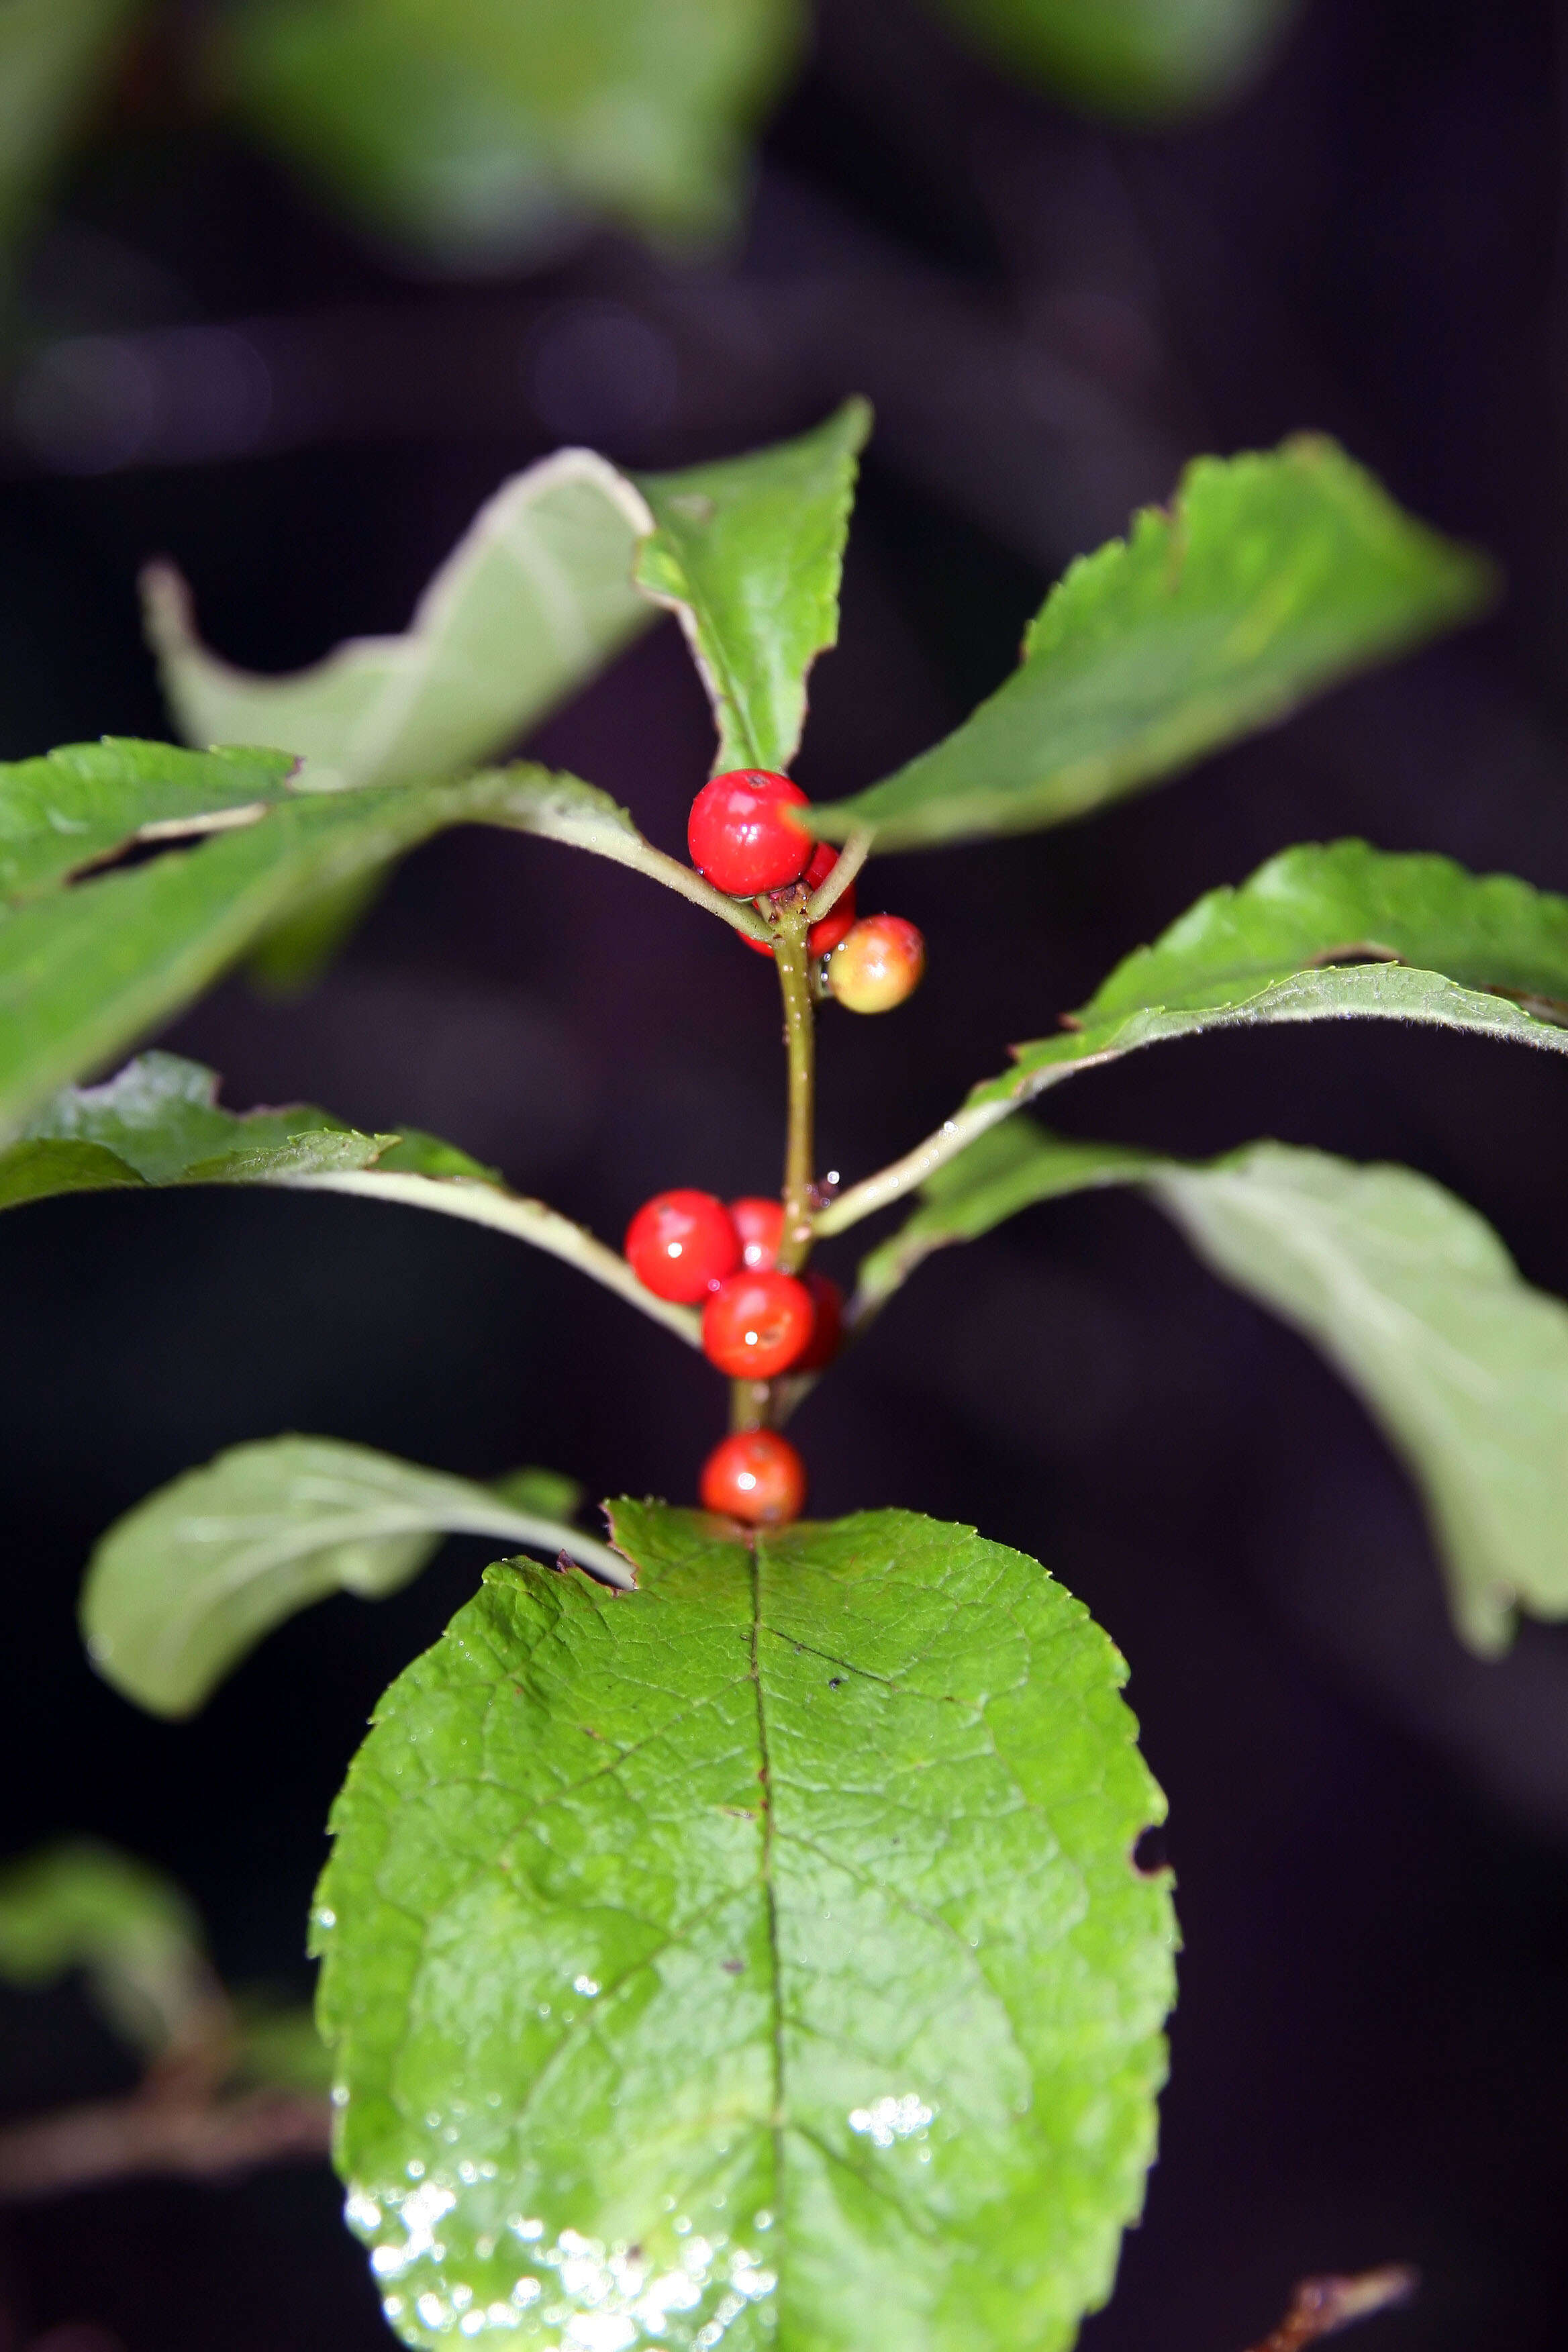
(1369, 1829)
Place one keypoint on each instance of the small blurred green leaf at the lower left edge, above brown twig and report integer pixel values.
(130, 1930)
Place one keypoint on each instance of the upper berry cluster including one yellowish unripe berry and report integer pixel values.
(746, 843)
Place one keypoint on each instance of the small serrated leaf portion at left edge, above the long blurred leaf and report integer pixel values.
(86, 803)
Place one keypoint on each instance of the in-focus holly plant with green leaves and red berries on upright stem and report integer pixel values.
(732, 1930)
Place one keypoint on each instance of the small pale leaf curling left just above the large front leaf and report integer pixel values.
(185, 1586)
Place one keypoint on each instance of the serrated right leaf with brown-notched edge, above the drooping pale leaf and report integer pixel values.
(1315, 935)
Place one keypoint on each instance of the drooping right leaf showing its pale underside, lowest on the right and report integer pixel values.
(1405, 1290)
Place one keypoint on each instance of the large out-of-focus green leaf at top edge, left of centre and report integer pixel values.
(471, 131)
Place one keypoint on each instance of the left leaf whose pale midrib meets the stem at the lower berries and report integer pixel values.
(159, 1123)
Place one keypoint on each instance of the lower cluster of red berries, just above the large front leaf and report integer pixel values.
(756, 1323)
